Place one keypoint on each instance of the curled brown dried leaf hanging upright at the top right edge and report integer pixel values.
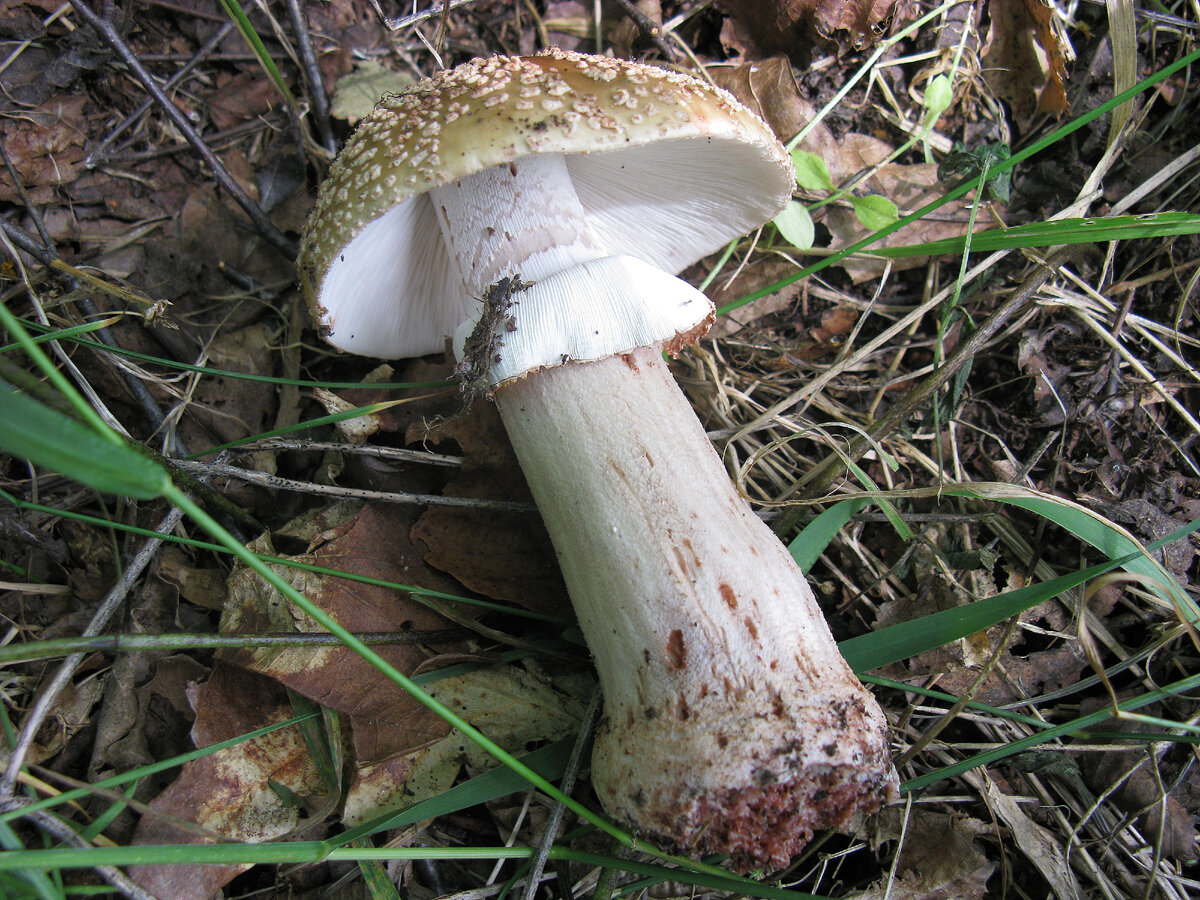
(1025, 59)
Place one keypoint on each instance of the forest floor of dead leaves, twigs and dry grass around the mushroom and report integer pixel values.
(1030, 413)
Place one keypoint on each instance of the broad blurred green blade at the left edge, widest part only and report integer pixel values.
(51, 440)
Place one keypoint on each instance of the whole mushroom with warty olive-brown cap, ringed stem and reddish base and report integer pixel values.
(581, 185)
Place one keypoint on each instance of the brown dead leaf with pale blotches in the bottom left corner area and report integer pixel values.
(229, 793)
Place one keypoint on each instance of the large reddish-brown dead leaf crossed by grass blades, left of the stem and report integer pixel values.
(363, 541)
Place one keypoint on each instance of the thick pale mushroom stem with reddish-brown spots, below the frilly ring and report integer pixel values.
(733, 724)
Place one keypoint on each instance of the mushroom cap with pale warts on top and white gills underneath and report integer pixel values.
(668, 170)
